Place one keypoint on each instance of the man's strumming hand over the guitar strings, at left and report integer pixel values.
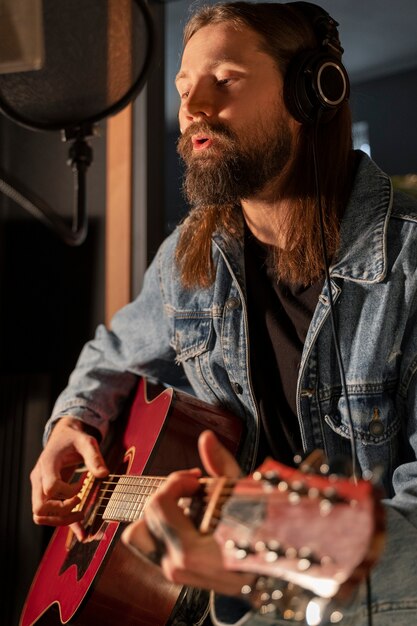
(53, 498)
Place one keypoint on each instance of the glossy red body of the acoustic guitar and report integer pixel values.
(99, 581)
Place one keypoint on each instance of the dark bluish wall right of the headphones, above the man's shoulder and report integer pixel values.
(388, 104)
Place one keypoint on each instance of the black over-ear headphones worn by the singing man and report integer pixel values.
(316, 82)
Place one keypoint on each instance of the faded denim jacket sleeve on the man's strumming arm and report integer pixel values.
(137, 343)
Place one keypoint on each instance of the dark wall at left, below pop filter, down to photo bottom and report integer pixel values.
(51, 299)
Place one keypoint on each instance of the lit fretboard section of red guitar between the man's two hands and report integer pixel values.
(129, 496)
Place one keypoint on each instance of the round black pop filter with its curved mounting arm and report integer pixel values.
(96, 58)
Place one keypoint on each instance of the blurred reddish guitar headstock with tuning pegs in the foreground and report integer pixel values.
(321, 533)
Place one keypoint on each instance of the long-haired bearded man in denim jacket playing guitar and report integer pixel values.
(236, 304)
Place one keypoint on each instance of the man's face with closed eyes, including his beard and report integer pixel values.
(236, 133)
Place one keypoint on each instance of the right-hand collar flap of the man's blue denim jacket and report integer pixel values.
(362, 254)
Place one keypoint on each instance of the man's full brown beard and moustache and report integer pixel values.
(234, 168)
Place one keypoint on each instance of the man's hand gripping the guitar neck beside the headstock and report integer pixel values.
(189, 558)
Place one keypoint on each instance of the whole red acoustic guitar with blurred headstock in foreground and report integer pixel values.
(312, 536)
